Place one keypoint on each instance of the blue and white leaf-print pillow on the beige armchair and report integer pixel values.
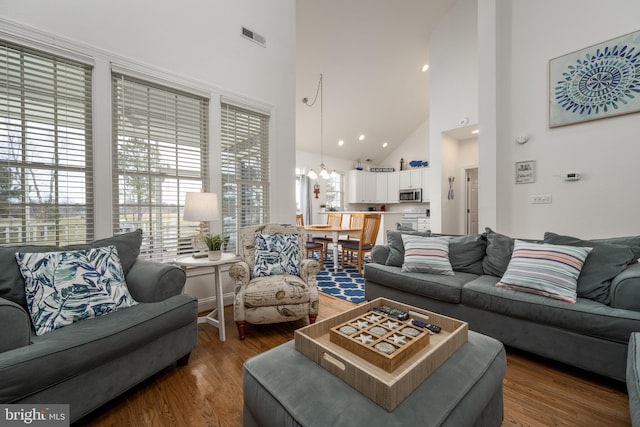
(276, 254)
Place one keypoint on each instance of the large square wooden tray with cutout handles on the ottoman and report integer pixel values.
(386, 388)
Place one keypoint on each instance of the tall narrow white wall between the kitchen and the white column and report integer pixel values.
(453, 87)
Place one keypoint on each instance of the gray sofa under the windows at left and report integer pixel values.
(91, 361)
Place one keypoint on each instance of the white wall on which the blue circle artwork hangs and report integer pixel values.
(604, 203)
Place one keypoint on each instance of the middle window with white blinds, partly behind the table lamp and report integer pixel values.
(160, 141)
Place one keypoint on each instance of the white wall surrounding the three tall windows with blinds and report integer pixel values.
(194, 40)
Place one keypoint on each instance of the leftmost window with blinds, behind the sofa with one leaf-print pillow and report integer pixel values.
(46, 187)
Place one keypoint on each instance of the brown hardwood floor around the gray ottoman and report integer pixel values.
(208, 391)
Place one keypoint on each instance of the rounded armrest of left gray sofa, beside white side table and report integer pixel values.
(150, 281)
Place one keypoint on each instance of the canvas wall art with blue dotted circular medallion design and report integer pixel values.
(597, 82)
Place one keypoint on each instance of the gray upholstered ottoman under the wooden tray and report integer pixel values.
(282, 387)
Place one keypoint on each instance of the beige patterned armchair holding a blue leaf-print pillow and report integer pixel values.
(274, 282)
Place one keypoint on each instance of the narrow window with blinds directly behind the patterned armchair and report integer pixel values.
(245, 170)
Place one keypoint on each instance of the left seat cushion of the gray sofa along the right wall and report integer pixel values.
(436, 286)
